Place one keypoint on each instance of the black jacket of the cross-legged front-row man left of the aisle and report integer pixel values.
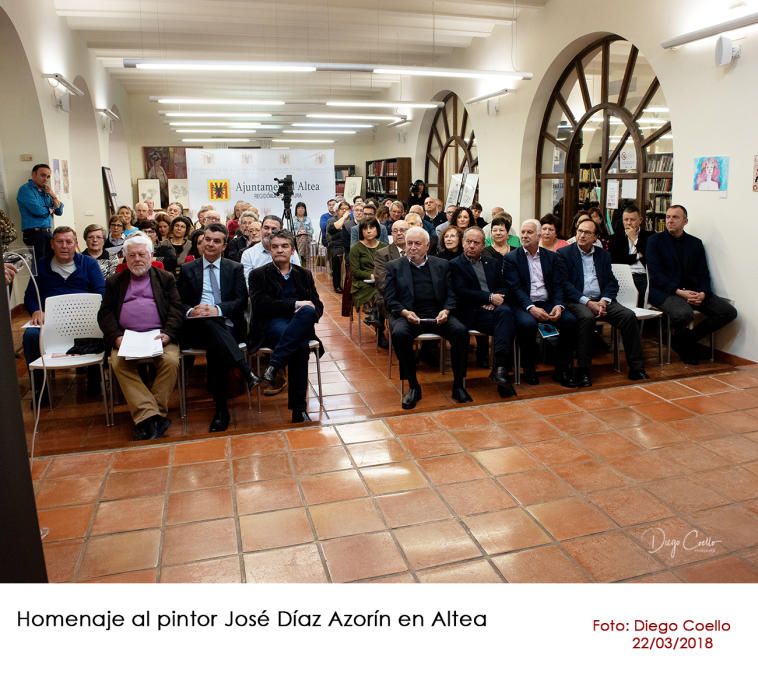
(266, 284)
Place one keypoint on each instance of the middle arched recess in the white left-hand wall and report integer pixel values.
(84, 161)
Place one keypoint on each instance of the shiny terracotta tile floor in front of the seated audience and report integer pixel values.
(559, 485)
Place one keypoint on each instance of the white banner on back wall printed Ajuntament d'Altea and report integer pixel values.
(221, 177)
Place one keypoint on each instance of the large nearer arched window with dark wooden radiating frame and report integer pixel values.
(606, 137)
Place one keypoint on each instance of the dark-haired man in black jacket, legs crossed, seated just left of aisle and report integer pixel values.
(286, 308)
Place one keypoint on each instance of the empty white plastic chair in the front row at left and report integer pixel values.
(67, 317)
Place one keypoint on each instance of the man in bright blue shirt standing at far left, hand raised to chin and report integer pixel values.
(37, 202)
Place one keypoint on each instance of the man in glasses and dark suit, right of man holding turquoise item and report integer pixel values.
(591, 291)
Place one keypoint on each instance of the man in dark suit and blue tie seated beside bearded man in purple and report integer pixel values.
(214, 296)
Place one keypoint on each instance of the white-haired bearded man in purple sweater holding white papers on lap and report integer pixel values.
(143, 299)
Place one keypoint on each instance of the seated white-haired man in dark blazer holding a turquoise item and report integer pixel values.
(534, 278)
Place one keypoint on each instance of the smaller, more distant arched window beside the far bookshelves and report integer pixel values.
(451, 147)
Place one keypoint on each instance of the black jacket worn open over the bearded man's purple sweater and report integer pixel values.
(166, 300)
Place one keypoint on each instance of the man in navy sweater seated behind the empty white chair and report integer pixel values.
(65, 272)
